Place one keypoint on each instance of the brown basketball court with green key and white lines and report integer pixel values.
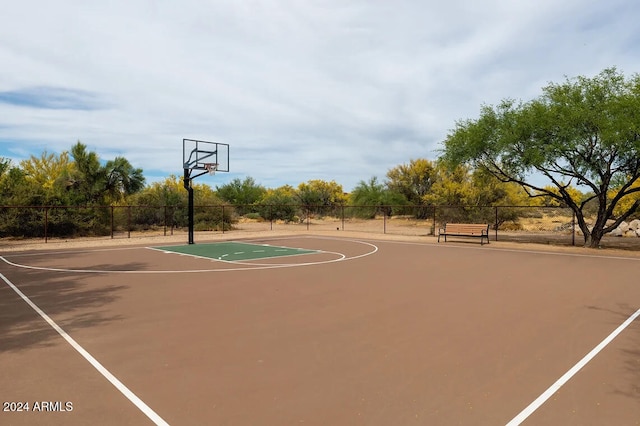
(316, 330)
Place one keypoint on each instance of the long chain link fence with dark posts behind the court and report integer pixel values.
(550, 225)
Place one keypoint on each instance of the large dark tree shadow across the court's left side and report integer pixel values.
(70, 300)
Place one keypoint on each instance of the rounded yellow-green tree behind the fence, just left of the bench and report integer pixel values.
(413, 181)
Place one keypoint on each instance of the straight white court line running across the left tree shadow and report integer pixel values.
(152, 415)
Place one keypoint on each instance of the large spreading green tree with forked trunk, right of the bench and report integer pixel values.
(584, 131)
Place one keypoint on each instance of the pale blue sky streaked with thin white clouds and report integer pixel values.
(338, 90)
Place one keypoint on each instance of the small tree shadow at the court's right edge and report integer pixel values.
(631, 355)
